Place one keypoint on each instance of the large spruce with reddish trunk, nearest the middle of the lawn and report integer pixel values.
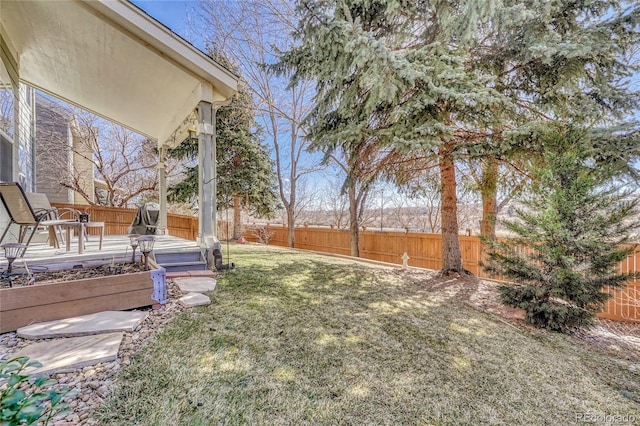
(394, 71)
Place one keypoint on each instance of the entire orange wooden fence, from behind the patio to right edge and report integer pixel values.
(424, 250)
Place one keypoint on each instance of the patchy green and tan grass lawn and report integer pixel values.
(295, 338)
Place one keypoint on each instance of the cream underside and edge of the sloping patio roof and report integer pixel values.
(111, 58)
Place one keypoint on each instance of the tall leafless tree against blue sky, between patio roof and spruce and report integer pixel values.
(251, 33)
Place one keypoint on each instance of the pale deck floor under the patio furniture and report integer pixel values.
(113, 246)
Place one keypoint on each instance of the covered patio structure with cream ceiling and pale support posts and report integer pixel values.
(112, 59)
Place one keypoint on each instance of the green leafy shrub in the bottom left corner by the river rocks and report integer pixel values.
(24, 407)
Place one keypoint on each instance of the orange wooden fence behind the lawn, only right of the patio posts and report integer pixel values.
(424, 251)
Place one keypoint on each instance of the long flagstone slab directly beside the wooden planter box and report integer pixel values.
(99, 323)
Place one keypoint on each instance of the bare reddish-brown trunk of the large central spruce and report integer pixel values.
(451, 257)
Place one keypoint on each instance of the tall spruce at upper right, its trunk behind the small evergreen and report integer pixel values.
(555, 59)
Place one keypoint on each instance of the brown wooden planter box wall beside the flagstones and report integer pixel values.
(20, 306)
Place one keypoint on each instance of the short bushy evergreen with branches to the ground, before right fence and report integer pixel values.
(570, 235)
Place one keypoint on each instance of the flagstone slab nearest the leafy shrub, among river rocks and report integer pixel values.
(71, 353)
